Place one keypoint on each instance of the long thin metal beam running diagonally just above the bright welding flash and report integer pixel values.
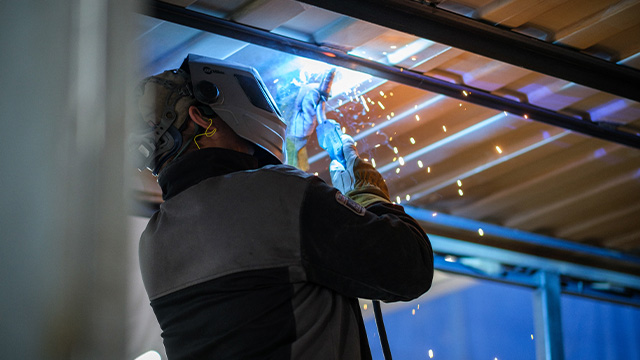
(408, 77)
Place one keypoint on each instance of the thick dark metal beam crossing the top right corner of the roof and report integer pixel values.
(496, 42)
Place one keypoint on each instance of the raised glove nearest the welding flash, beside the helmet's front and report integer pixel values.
(302, 125)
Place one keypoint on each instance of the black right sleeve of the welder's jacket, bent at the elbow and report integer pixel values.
(381, 253)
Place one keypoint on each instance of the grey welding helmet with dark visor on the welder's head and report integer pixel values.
(232, 91)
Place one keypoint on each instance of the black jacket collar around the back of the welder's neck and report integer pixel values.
(202, 164)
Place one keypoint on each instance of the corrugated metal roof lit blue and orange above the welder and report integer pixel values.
(445, 154)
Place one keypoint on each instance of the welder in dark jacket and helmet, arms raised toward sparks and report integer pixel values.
(250, 258)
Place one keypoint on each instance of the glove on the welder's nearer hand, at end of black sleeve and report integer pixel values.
(359, 180)
